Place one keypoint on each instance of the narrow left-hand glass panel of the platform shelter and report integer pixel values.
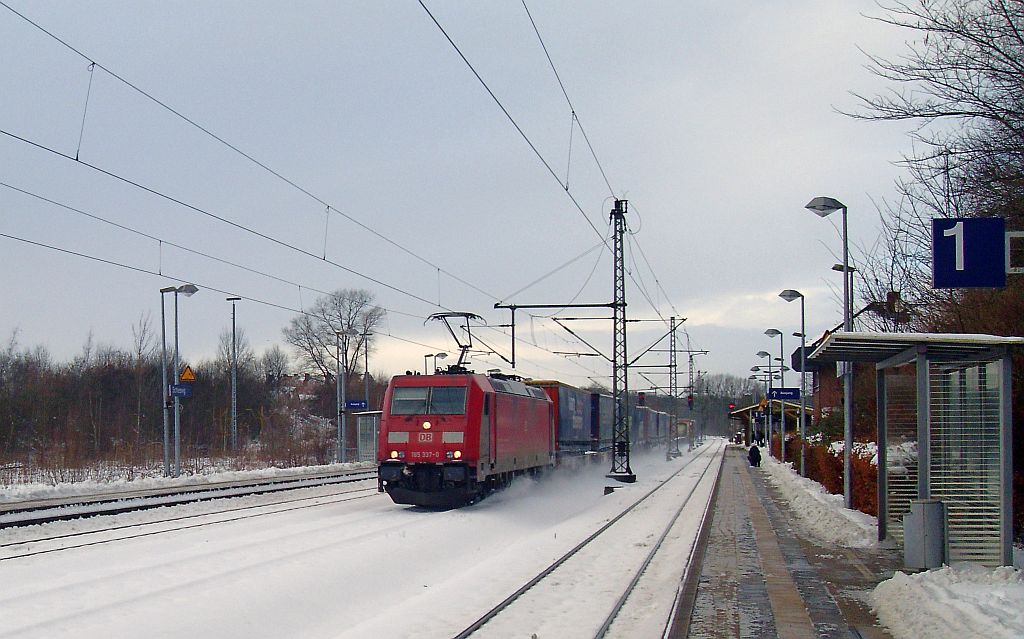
(902, 446)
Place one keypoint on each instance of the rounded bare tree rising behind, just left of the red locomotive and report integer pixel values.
(315, 334)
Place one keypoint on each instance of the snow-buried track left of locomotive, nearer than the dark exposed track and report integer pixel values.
(57, 543)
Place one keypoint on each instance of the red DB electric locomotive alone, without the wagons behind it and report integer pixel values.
(449, 440)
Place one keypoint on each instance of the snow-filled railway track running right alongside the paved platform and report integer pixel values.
(562, 573)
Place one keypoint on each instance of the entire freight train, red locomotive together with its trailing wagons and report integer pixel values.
(450, 439)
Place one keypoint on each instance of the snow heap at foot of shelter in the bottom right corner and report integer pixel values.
(955, 603)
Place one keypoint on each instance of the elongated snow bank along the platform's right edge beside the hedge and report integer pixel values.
(821, 514)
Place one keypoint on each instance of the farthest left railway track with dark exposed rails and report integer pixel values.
(60, 509)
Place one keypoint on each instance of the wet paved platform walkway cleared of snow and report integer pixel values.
(763, 578)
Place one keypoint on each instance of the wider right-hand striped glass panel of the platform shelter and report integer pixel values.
(965, 457)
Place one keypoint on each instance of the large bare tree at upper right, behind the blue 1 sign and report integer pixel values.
(962, 81)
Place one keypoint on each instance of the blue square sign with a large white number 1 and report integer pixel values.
(969, 253)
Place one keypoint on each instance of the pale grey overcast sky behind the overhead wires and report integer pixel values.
(717, 121)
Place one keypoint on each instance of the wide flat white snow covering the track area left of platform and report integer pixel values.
(358, 569)
